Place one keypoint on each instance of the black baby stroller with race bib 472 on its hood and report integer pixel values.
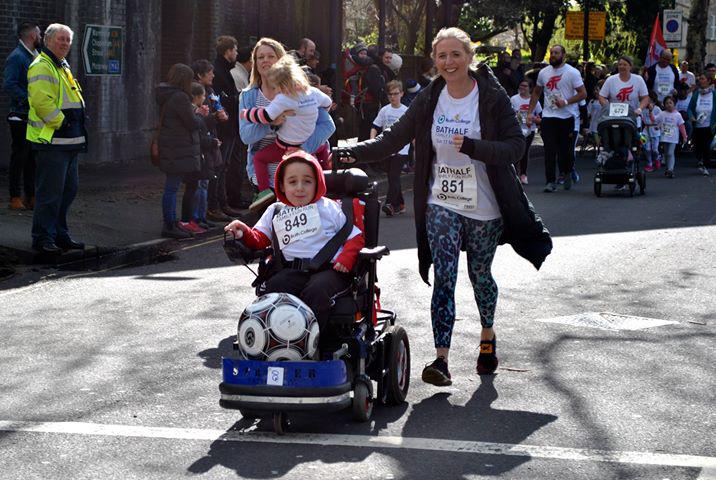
(620, 150)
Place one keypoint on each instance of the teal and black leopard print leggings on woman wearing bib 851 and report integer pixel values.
(446, 232)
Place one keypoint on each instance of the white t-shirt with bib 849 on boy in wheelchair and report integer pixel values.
(308, 229)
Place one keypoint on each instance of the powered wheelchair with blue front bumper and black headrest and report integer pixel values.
(360, 344)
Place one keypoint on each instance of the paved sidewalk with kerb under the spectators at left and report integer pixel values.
(117, 213)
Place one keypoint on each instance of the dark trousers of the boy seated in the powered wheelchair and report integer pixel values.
(317, 289)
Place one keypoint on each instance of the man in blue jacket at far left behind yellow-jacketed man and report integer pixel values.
(22, 157)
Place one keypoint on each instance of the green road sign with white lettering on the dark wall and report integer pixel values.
(103, 50)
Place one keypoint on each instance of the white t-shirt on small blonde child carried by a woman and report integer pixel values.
(298, 128)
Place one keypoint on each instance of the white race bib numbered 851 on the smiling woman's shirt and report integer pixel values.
(455, 186)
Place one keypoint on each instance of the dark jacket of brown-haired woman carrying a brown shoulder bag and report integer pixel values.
(179, 143)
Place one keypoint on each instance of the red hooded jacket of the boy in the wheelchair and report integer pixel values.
(255, 239)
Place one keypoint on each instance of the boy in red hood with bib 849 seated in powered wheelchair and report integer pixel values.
(315, 248)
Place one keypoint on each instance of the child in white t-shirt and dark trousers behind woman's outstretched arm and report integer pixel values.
(393, 165)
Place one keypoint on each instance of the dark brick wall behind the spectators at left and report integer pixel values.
(158, 33)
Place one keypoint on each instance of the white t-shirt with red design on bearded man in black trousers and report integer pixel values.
(559, 84)
